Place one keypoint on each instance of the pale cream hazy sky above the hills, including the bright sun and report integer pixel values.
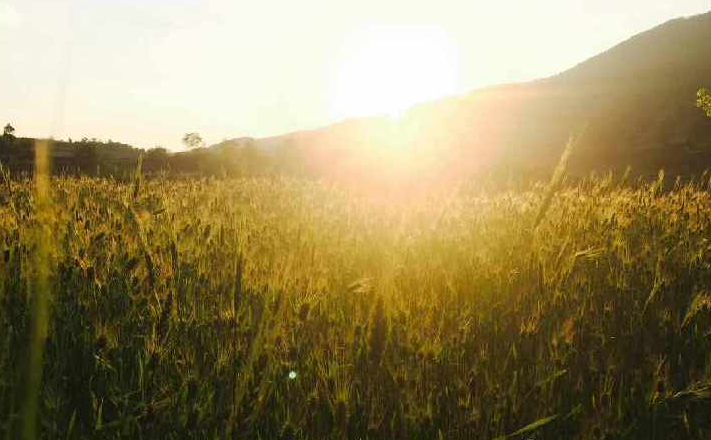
(147, 71)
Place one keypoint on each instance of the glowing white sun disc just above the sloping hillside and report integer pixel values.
(386, 69)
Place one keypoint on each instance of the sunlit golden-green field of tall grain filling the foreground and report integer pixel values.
(278, 308)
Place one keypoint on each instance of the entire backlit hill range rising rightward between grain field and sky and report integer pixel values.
(636, 100)
